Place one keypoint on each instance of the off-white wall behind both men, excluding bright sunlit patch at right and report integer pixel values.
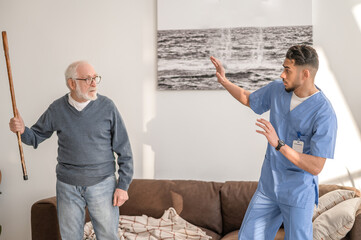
(180, 135)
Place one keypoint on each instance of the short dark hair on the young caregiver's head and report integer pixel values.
(303, 55)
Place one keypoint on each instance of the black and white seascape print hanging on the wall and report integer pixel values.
(252, 55)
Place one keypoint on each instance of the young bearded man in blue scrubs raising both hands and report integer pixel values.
(301, 134)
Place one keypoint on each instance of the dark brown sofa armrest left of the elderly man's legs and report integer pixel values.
(44, 221)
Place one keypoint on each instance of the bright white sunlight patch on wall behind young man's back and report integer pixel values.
(345, 169)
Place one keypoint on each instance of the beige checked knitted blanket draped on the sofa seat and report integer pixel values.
(169, 226)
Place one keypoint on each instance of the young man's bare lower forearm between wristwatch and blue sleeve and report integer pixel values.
(309, 163)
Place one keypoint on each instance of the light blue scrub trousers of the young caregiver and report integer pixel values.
(265, 216)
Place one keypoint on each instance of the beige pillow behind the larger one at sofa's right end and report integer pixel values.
(330, 200)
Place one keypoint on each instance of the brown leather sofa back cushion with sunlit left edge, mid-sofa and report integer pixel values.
(198, 202)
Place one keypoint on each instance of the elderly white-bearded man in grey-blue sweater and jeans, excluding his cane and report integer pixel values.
(90, 130)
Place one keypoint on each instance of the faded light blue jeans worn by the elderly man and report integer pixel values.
(71, 203)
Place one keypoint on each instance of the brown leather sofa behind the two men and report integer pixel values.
(217, 208)
